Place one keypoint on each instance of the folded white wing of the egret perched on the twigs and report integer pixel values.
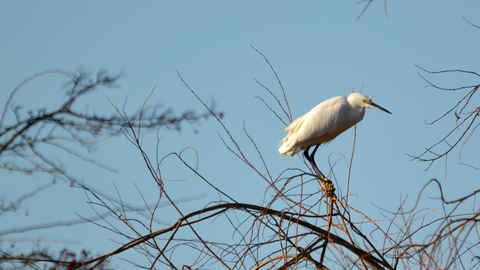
(324, 119)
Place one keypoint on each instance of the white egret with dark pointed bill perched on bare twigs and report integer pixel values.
(324, 123)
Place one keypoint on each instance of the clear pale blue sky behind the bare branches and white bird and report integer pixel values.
(319, 50)
